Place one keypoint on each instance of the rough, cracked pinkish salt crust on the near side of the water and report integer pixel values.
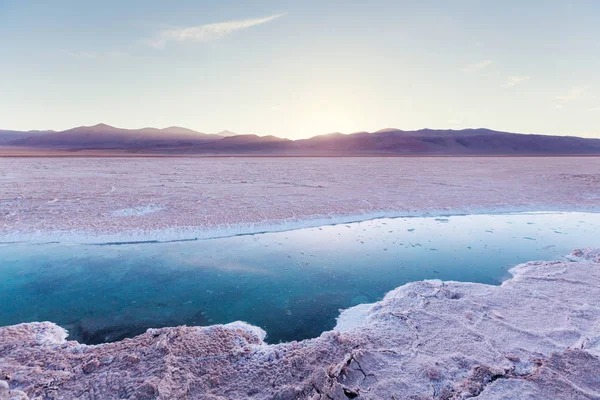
(535, 337)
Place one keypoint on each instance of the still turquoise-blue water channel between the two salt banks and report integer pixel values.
(291, 283)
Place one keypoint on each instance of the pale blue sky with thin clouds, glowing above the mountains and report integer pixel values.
(301, 68)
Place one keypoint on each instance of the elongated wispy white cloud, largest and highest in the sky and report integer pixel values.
(206, 33)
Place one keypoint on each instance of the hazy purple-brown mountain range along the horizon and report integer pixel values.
(177, 140)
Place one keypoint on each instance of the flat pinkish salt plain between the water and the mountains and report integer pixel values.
(112, 195)
